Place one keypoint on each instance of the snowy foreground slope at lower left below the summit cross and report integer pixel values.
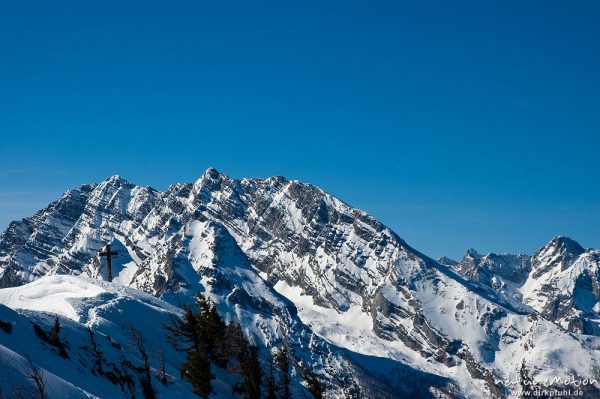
(109, 310)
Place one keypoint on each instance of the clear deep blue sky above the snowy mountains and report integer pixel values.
(457, 124)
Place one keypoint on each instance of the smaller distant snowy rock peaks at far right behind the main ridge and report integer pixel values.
(560, 281)
